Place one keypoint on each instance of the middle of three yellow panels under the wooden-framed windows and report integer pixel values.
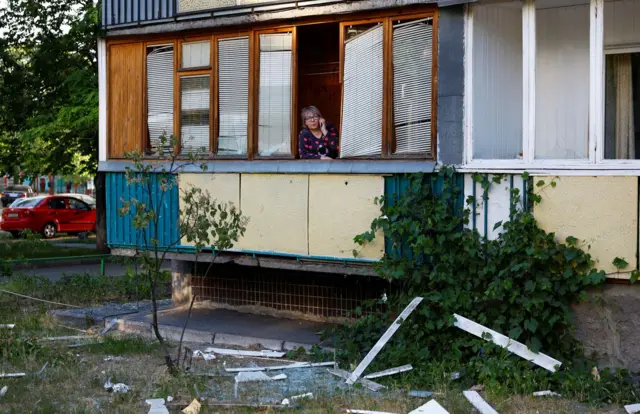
(277, 207)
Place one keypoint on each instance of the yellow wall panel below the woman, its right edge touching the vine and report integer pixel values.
(341, 207)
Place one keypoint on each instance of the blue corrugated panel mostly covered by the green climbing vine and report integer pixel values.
(395, 186)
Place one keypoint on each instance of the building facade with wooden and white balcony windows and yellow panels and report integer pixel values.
(549, 87)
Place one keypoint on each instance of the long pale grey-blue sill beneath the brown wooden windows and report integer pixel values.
(290, 166)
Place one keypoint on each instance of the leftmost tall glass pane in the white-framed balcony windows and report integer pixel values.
(497, 81)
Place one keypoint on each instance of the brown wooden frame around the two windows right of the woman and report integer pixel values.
(388, 134)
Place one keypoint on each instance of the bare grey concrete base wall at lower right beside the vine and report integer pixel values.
(608, 326)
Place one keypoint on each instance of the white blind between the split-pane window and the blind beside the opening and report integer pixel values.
(233, 95)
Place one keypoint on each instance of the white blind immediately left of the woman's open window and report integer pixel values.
(274, 101)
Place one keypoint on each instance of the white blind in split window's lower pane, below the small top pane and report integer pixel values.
(194, 113)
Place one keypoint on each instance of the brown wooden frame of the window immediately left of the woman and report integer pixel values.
(256, 94)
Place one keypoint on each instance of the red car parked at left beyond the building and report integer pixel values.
(49, 215)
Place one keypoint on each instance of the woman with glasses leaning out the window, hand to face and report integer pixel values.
(318, 139)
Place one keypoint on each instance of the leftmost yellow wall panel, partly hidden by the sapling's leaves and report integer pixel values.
(222, 187)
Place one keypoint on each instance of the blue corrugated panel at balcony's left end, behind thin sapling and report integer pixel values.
(120, 231)
